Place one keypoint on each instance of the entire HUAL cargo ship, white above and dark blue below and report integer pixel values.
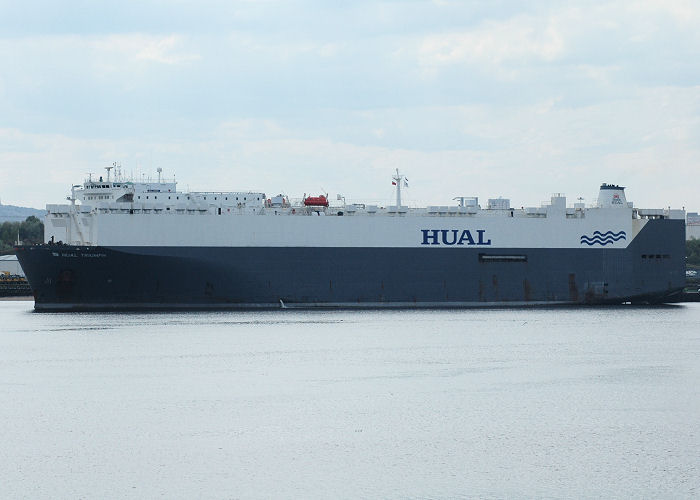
(125, 245)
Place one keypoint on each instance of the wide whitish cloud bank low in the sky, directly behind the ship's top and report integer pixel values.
(649, 141)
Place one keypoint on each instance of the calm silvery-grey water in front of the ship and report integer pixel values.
(440, 404)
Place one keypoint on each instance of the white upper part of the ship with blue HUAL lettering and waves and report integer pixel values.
(116, 212)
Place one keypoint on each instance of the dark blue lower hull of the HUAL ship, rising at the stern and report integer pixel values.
(650, 270)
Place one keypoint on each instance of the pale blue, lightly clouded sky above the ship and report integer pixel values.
(466, 98)
